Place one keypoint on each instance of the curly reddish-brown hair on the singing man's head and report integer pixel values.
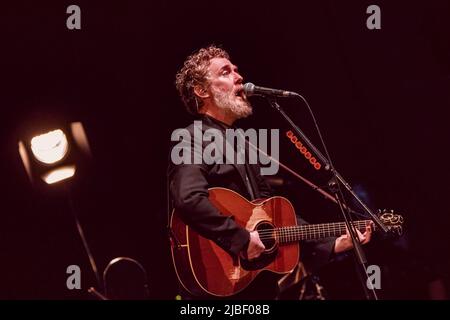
(194, 72)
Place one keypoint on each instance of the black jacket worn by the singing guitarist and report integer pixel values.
(189, 183)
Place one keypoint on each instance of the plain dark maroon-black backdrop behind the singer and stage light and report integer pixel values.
(380, 96)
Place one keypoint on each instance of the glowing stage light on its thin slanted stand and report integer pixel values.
(52, 155)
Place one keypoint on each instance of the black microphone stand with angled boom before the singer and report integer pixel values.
(334, 186)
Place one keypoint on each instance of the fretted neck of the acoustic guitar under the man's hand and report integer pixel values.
(315, 231)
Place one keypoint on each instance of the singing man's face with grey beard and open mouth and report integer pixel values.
(226, 89)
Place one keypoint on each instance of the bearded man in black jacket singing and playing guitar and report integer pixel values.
(212, 89)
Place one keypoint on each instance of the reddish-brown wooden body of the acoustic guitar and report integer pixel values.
(203, 268)
